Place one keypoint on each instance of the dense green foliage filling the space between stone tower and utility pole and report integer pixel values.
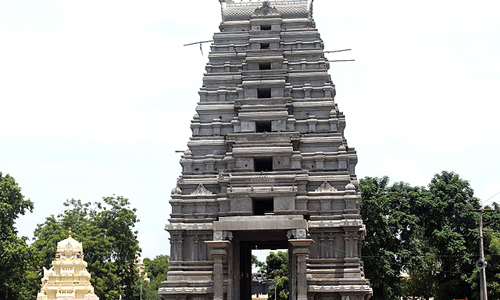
(426, 233)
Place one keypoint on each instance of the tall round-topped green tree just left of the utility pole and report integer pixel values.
(452, 231)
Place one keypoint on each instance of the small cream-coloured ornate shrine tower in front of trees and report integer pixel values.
(68, 277)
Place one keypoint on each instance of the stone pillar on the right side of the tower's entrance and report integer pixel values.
(301, 252)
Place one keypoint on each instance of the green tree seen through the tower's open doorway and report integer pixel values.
(276, 268)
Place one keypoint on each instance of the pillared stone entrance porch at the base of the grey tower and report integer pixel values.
(234, 239)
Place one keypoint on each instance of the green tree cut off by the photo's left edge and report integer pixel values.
(14, 252)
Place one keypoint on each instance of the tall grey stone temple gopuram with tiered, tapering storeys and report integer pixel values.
(267, 166)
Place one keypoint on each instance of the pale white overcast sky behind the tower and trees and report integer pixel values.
(96, 96)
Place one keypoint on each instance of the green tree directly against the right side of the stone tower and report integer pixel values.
(390, 245)
